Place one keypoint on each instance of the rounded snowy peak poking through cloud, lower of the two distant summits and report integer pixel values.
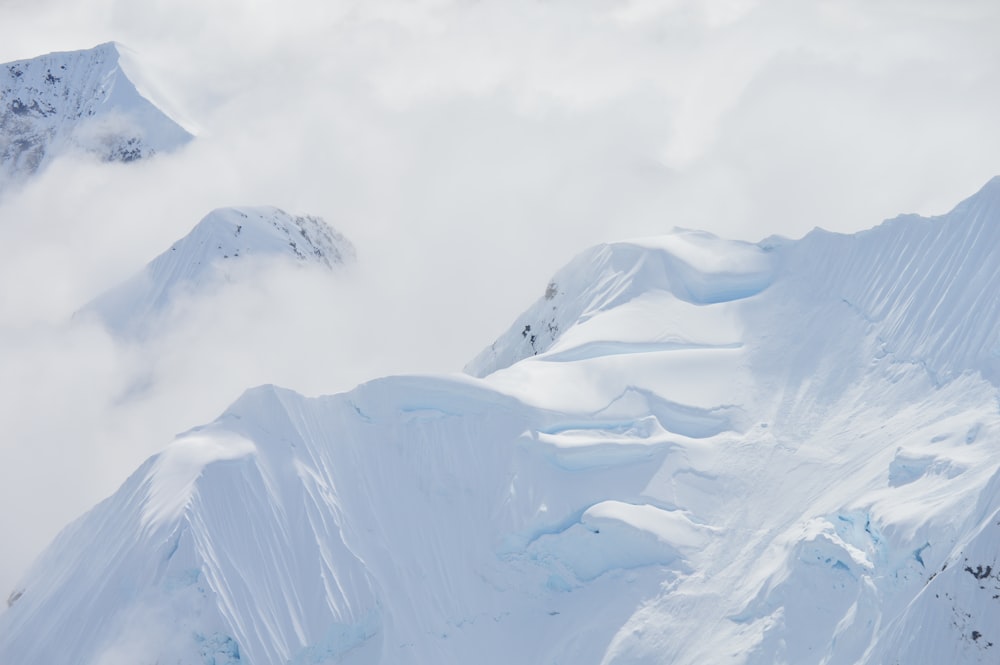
(222, 240)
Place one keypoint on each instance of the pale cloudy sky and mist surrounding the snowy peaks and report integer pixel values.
(468, 149)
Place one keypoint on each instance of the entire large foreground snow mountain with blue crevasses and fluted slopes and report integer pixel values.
(709, 452)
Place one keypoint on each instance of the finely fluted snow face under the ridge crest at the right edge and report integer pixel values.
(937, 315)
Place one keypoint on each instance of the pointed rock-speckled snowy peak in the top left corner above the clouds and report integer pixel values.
(80, 100)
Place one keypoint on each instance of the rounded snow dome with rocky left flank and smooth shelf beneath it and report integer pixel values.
(660, 284)
